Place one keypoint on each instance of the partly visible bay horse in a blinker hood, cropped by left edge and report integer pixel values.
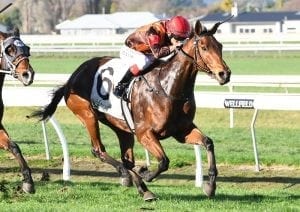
(14, 61)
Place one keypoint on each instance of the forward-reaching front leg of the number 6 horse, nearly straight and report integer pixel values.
(195, 136)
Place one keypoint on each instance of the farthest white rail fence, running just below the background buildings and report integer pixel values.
(112, 43)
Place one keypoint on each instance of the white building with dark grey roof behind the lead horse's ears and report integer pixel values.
(247, 23)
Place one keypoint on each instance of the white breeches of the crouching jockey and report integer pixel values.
(131, 57)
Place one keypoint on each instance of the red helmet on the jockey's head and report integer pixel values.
(179, 27)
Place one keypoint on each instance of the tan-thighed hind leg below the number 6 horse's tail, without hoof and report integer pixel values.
(82, 109)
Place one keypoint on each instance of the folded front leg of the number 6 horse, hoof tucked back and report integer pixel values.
(152, 144)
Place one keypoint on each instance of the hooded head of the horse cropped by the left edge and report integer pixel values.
(15, 57)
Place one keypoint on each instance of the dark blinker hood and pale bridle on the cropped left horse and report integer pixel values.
(11, 62)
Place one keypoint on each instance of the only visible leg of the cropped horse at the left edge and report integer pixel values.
(7, 144)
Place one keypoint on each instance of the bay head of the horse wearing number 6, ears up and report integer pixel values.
(208, 53)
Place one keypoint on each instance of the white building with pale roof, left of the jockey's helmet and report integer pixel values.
(106, 24)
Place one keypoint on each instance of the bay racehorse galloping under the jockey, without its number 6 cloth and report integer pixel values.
(162, 105)
